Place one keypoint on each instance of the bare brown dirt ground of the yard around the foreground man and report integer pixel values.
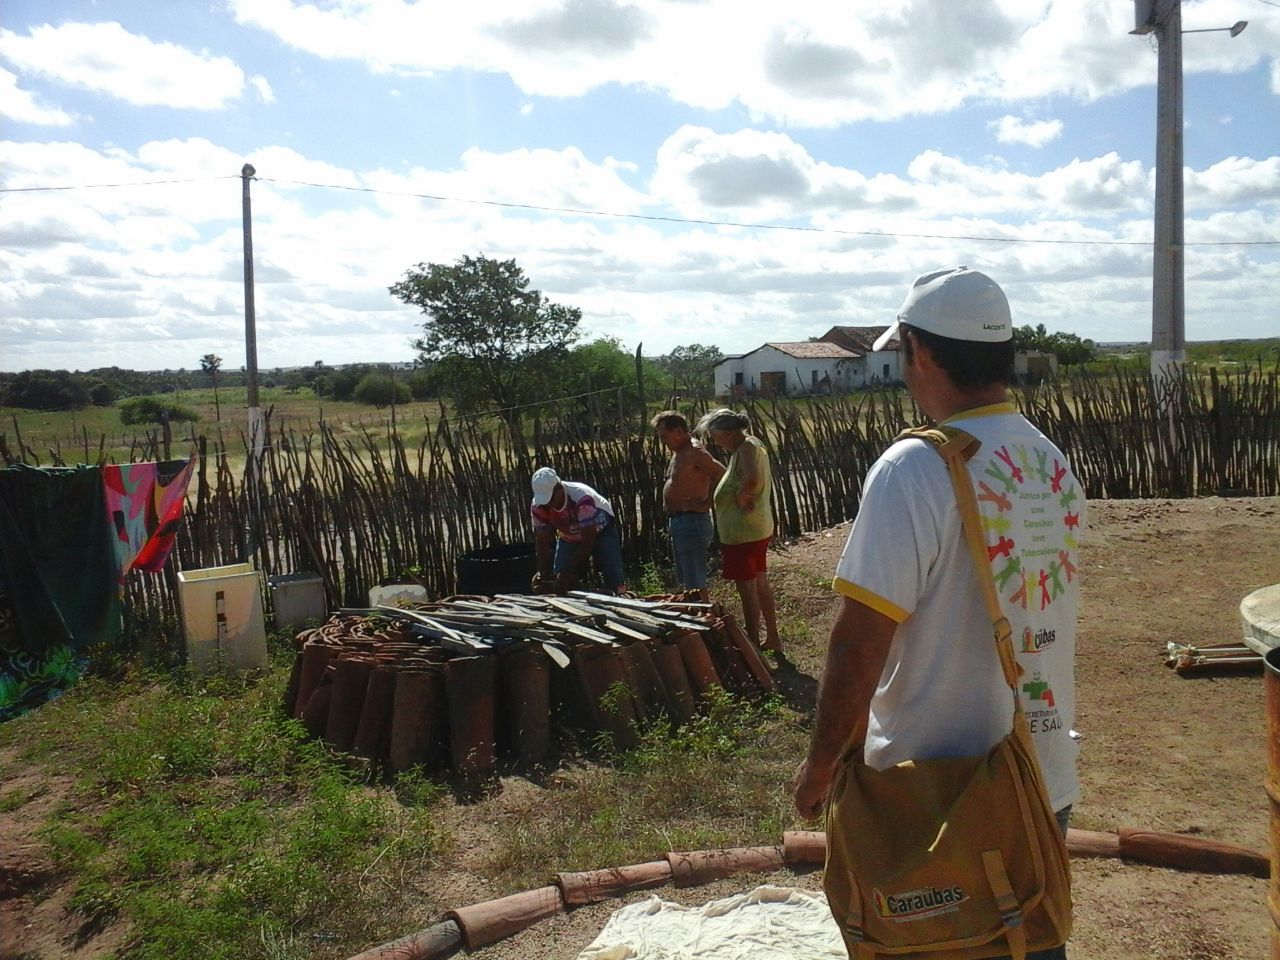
(1160, 752)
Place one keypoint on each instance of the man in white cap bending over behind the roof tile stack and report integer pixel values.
(572, 524)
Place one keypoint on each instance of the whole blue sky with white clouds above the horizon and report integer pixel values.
(716, 172)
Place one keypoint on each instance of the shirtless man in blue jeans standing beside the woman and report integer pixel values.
(687, 495)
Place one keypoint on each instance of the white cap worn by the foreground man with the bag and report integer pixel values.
(958, 303)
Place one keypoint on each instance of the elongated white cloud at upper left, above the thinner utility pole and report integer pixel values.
(108, 60)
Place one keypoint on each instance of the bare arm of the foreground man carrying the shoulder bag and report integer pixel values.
(856, 660)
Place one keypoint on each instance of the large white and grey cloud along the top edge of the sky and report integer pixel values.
(807, 63)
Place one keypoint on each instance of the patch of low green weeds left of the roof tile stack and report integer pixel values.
(216, 828)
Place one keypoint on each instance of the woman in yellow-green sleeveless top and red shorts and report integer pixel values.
(744, 520)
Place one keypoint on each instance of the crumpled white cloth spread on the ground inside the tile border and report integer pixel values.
(769, 924)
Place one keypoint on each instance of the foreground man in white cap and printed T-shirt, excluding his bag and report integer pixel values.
(912, 671)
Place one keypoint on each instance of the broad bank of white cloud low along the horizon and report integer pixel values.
(157, 272)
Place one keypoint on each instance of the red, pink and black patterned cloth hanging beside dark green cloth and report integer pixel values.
(145, 505)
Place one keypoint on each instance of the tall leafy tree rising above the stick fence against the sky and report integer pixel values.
(496, 342)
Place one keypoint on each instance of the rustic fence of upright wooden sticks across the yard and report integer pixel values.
(367, 509)
